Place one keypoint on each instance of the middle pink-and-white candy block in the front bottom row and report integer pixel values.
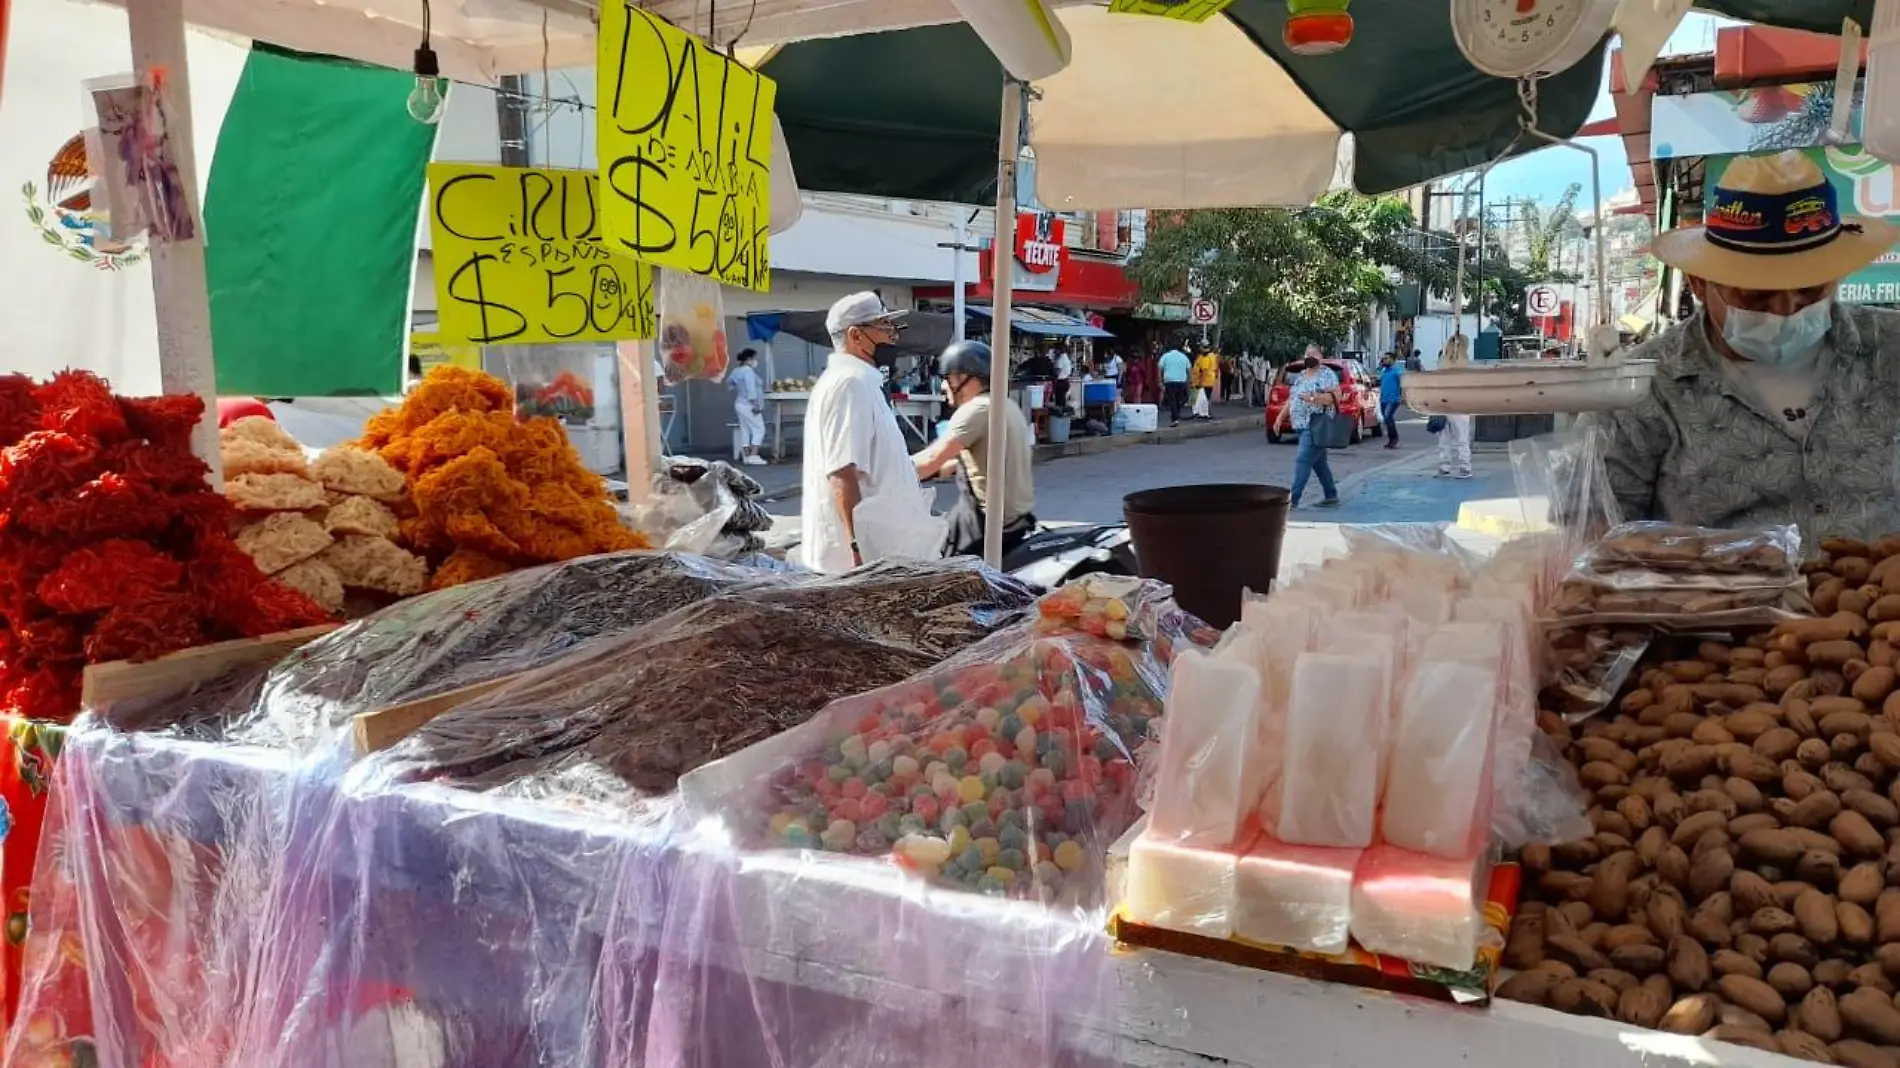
(1295, 896)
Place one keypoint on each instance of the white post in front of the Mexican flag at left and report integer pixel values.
(180, 290)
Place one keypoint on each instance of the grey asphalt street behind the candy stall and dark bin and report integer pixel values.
(1377, 486)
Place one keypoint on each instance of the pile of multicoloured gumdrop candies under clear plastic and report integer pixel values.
(1006, 771)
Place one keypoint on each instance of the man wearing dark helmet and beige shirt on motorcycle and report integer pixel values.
(966, 451)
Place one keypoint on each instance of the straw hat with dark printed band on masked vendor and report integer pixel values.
(1776, 223)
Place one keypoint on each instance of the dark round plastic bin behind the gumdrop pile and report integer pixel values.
(1209, 543)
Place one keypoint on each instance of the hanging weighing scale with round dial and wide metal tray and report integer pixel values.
(1529, 41)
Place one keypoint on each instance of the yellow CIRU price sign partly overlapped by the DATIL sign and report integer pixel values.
(520, 259)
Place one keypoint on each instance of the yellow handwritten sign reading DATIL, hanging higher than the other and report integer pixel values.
(685, 151)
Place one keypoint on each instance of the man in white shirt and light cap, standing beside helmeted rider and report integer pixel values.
(854, 448)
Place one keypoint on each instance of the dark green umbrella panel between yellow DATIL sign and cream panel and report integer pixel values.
(909, 115)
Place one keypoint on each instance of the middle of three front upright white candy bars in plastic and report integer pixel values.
(1335, 738)
